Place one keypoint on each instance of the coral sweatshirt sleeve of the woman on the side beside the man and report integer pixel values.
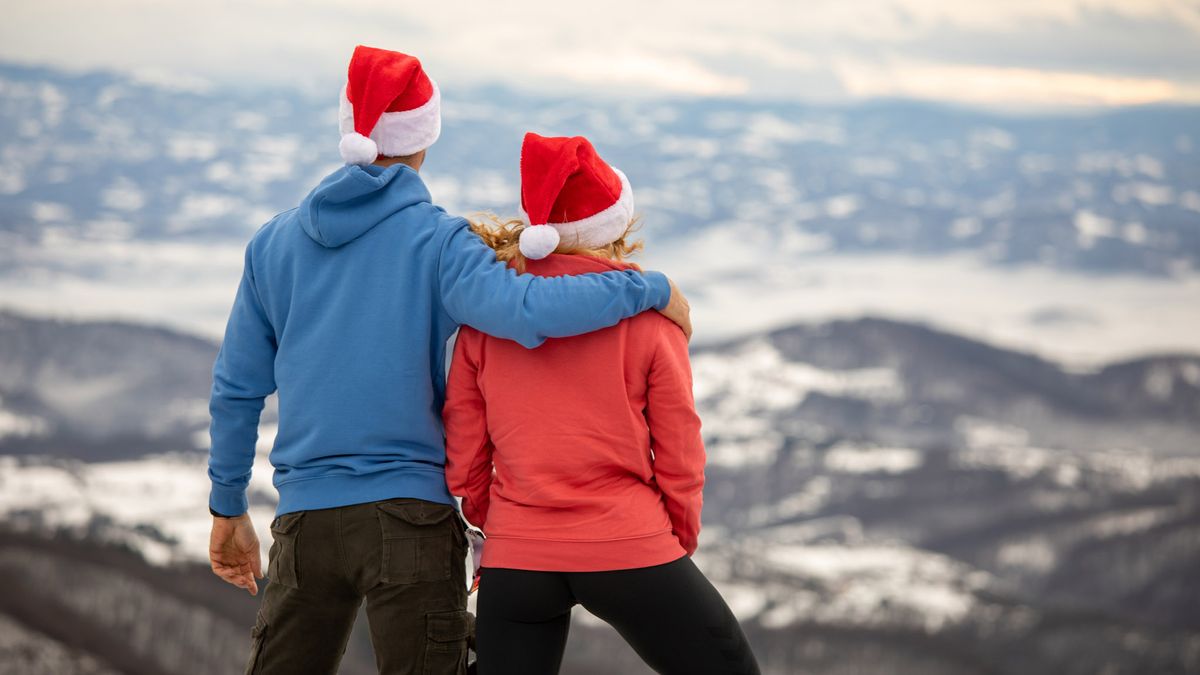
(469, 445)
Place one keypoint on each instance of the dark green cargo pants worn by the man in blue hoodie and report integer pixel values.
(406, 557)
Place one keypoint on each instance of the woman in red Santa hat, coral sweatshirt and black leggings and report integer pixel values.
(596, 446)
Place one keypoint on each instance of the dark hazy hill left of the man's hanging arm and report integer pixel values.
(100, 391)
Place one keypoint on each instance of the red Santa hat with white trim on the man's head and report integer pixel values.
(389, 107)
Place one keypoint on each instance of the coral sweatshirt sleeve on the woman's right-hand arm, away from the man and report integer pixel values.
(675, 435)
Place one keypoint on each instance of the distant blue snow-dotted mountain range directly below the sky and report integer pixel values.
(107, 158)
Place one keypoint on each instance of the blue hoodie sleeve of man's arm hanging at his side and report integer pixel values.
(243, 378)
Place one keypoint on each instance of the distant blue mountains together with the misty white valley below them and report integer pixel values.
(1076, 237)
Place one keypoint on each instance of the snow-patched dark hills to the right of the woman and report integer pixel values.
(869, 479)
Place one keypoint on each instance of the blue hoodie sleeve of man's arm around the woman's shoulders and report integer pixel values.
(479, 291)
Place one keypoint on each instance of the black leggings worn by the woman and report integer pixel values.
(670, 614)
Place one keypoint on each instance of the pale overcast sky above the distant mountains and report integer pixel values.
(1005, 55)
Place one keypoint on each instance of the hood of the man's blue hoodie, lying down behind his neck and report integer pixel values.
(355, 199)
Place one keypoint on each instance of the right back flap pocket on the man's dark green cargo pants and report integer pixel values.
(418, 542)
